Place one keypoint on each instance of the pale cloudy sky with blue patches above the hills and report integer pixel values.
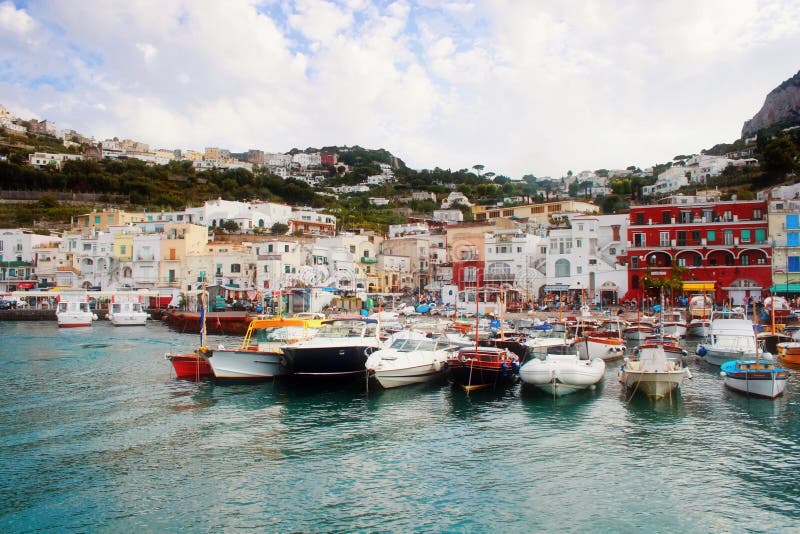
(520, 86)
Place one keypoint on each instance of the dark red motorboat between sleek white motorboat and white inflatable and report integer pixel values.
(483, 367)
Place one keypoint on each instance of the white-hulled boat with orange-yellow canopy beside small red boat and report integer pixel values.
(260, 356)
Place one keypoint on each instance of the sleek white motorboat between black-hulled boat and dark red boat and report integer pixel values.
(410, 358)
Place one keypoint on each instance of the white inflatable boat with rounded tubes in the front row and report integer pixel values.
(562, 374)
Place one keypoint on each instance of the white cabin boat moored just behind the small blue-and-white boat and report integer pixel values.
(731, 337)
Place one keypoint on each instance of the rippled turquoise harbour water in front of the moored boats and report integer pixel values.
(96, 435)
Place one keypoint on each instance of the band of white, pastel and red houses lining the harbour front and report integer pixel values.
(532, 253)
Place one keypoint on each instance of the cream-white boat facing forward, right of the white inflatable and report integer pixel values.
(652, 373)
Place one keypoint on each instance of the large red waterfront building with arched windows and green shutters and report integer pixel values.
(727, 242)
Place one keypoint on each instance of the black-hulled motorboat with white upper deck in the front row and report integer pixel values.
(339, 350)
